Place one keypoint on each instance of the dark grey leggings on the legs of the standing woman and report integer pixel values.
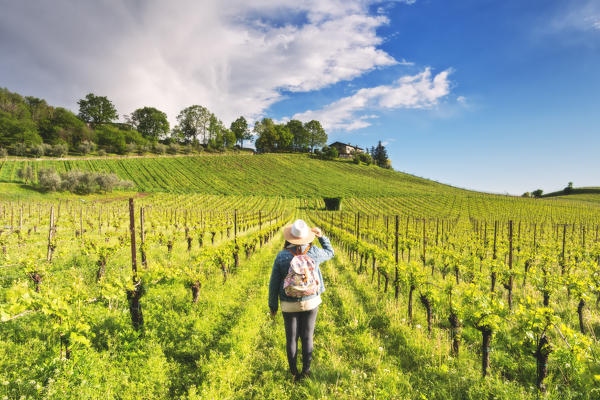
(299, 324)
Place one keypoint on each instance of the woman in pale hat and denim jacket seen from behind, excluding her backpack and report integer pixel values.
(299, 313)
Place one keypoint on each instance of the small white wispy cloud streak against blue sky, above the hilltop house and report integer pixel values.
(413, 91)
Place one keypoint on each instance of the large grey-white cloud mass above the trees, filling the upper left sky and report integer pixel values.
(235, 57)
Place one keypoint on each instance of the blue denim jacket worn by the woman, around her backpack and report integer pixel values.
(282, 265)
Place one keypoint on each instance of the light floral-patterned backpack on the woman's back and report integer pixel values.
(302, 278)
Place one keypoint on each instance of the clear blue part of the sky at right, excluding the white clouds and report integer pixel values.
(531, 88)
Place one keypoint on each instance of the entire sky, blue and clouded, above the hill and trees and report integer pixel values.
(499, 96)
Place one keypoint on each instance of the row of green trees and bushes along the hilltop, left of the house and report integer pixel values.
(31, 127)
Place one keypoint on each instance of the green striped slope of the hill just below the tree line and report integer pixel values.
(289, 175)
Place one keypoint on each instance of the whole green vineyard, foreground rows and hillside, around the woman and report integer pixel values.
(434, 292)
